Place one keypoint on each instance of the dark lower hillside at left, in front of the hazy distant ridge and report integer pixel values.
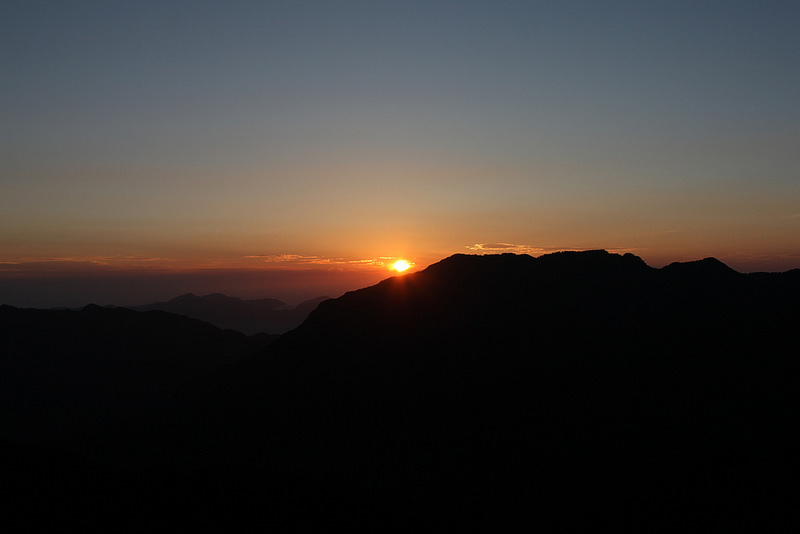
(62, 371)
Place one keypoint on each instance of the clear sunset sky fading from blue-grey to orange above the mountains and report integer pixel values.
(280, 142)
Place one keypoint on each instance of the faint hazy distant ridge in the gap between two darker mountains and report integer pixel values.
(250, 317)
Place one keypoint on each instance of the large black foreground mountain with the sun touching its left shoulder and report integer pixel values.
(574, 390)
